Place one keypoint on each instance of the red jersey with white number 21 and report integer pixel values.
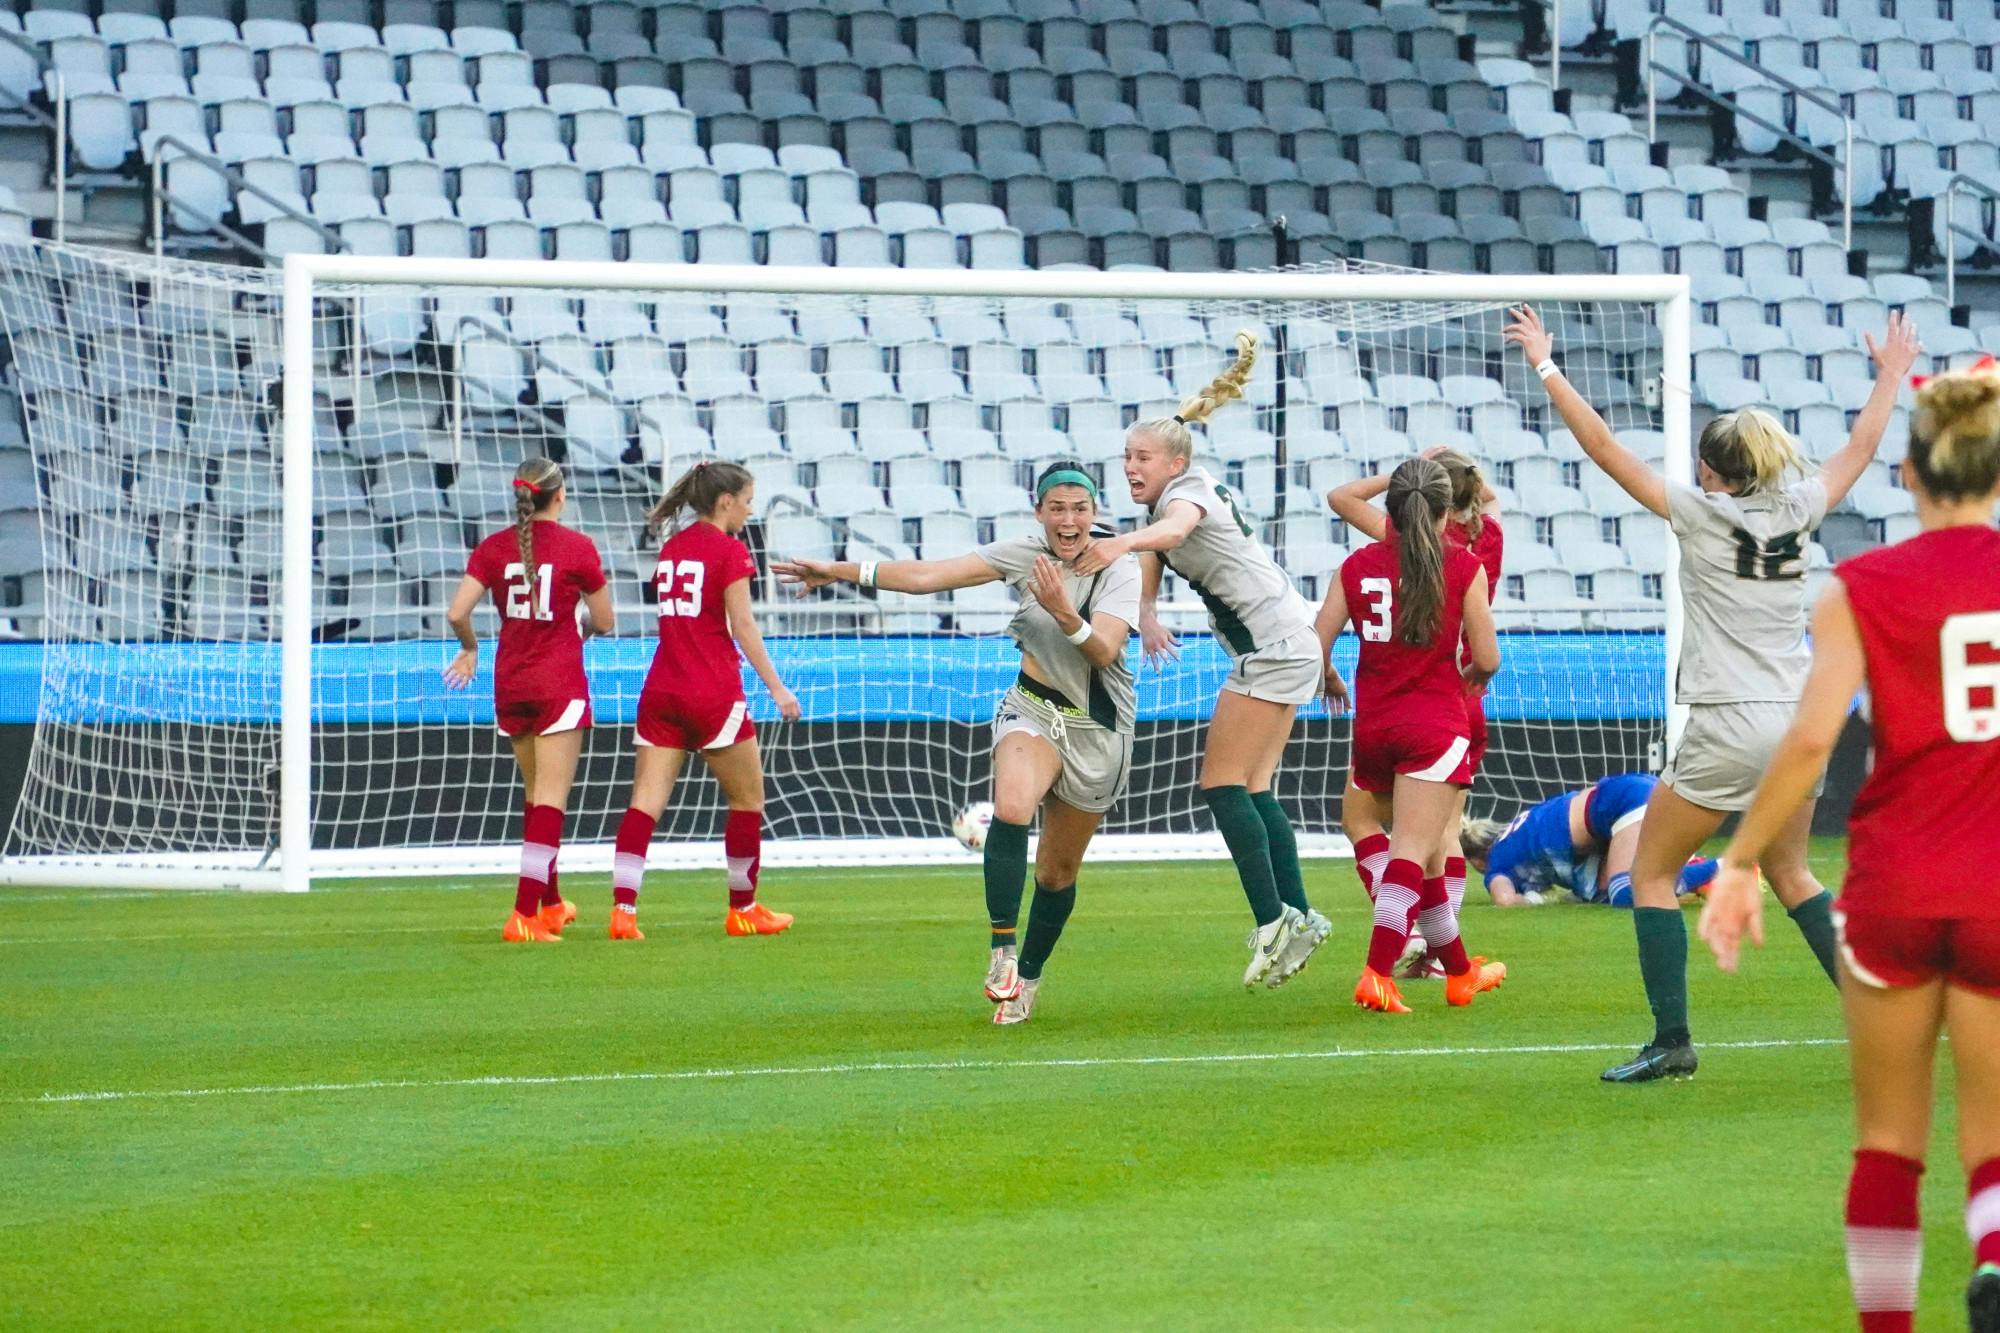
(541, 651)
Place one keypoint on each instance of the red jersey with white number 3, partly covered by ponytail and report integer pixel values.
(1423, 680)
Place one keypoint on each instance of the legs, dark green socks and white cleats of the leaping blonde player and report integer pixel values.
(1245, 742)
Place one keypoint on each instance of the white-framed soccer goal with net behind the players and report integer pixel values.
(257, 493)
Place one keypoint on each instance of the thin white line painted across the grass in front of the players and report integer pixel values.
(809, 1072)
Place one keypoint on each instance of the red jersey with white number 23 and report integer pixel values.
(697, 655)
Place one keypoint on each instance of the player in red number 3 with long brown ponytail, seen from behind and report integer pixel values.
(1411, 601)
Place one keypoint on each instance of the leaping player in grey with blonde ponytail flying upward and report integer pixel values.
(1195, 527)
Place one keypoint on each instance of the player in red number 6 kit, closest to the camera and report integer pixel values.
(1919, 625)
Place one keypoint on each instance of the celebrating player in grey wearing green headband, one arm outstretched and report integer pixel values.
(1063, 736)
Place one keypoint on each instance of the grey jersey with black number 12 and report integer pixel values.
(1743, 587)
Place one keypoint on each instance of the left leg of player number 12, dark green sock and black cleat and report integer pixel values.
(1675, 828)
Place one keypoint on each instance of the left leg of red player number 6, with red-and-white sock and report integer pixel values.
(1893, 1038)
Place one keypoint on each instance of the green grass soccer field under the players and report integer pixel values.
(361, 1110)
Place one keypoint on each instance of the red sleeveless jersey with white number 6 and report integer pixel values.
(1925, 834)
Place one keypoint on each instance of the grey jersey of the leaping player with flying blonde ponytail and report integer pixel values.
(1251, 603)
